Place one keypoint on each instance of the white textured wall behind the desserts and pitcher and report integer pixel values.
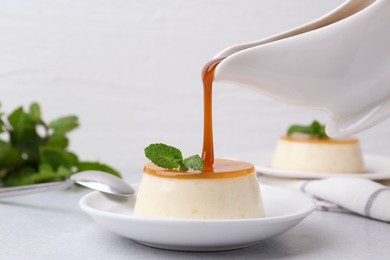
(131, 71)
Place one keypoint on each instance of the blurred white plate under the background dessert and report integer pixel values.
(377, 168)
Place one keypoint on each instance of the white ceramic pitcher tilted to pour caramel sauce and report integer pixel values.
(339, 63)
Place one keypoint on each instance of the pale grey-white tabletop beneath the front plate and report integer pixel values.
(51, 226)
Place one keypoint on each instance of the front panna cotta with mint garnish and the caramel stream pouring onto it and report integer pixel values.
(195, 188)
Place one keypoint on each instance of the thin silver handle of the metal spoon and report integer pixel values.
(29, 189)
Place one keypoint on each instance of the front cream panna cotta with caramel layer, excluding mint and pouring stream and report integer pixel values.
(229, 191)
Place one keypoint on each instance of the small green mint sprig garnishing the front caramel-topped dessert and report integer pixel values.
(169, 157)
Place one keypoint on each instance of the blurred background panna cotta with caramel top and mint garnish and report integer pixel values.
(308, 148)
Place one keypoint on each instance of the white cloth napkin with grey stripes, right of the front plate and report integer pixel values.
(343, 194)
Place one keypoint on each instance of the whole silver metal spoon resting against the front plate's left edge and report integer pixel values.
(95, 180)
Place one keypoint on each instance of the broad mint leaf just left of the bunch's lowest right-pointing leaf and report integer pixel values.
(55, 157)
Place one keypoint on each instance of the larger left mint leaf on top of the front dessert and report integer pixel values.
(163, 155)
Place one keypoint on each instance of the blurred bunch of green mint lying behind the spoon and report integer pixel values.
(35, 151)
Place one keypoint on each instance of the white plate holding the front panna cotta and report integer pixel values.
(283, 208)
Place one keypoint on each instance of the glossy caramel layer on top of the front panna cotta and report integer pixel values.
(222, 169)
